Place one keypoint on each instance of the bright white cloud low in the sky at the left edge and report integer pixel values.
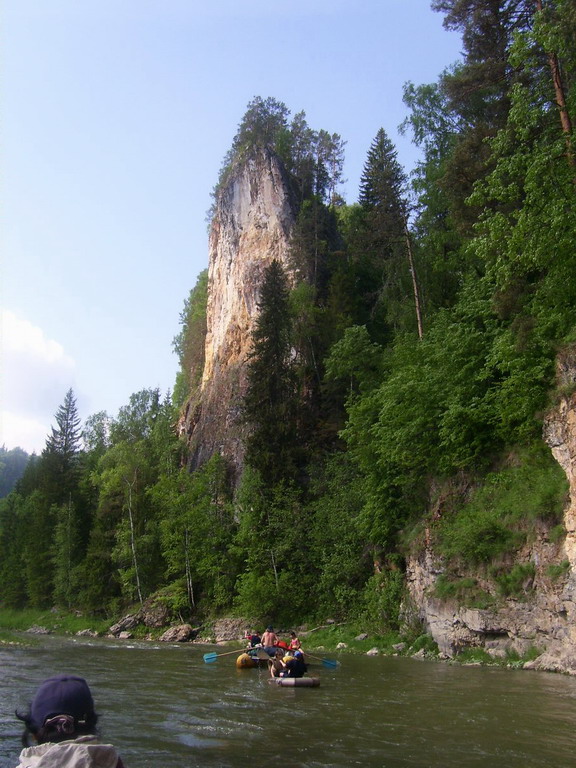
(36, 373)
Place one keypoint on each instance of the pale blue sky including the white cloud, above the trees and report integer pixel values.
(116, 117)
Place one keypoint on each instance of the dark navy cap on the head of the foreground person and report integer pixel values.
(62, 695)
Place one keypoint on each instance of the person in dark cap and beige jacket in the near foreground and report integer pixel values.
(60, 728)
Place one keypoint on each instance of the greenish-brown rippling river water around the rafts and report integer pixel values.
(162, 706)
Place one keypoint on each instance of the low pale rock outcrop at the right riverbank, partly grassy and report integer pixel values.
(547, 620)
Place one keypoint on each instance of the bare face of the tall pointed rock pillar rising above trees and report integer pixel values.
(252, 226)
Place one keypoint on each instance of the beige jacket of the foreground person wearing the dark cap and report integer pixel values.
(84, 752)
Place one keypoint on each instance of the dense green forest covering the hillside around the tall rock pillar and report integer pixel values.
(414, 359)
